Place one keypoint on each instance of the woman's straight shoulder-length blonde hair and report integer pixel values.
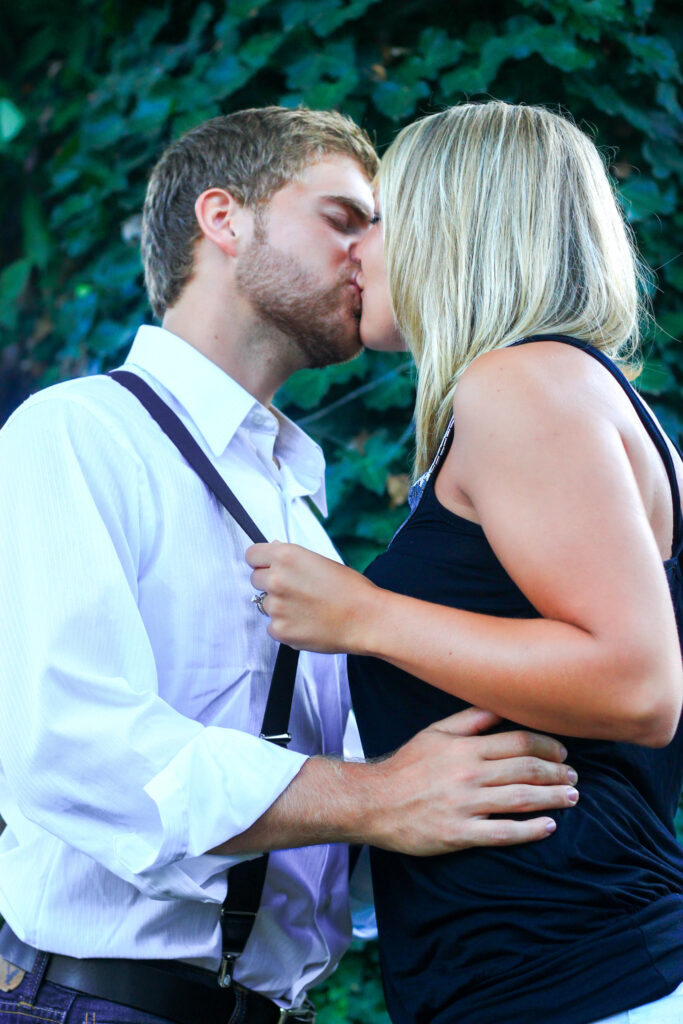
(500, 223)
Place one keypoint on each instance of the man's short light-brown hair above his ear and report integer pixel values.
(252, 154)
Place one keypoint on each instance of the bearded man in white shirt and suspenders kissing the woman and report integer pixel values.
(136, 667)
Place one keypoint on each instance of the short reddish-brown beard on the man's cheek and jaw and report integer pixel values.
(322, 323)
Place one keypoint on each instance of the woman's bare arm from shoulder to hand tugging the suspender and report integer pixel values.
(550, 482)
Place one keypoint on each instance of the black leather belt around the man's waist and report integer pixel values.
(178, 992)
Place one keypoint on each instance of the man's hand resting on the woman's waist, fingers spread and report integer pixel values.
(441, 789)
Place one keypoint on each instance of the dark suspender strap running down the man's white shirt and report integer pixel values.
(247, 879)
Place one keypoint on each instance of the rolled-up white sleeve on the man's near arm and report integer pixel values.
(91, 752)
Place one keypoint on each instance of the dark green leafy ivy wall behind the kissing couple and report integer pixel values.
(93, 91)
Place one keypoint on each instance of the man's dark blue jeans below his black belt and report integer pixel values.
(38, 1001)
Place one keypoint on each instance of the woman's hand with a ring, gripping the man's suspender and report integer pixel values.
(314, 603)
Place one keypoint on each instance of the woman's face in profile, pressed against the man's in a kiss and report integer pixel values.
(378, 328)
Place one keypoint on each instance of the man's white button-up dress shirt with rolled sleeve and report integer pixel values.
(135, 673)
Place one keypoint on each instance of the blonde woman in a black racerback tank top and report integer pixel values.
(529, 579)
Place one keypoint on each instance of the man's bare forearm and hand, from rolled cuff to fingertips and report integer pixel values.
(434, 796)
